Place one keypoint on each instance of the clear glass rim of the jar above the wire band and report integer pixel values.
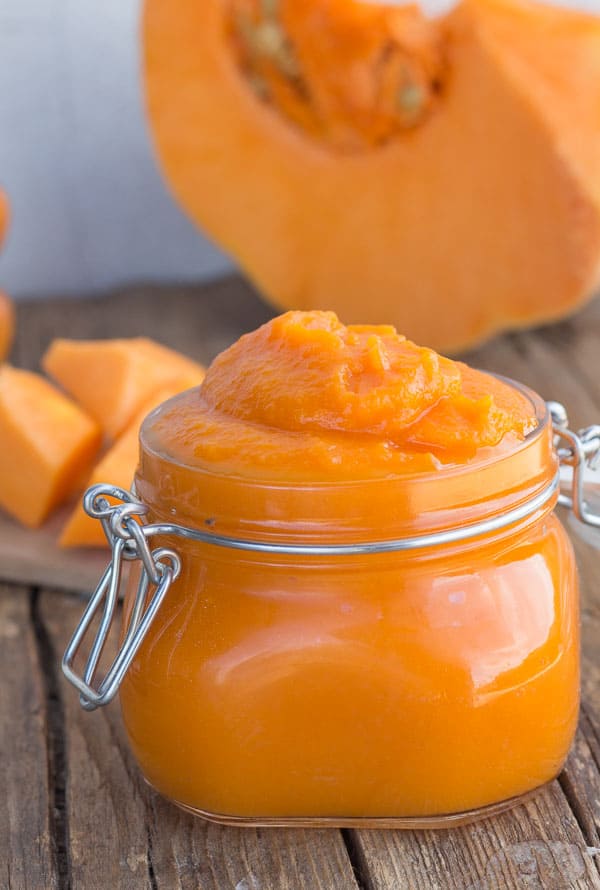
(397, 505)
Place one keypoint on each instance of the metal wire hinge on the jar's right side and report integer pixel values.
(579, 456)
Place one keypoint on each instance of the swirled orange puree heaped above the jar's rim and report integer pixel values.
(306, 397)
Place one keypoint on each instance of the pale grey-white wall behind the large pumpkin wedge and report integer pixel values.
(89, 209)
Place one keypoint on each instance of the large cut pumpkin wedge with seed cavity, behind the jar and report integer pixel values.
(439, 174)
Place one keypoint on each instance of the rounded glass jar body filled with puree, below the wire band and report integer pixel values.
(402, 686)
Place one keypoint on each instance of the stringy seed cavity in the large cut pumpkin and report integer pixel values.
(374, 100)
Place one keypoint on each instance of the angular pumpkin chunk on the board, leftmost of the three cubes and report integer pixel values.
(47, 445)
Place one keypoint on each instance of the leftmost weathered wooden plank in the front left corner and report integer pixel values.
(27, 857)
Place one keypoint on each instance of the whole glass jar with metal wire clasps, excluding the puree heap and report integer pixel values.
(396, 652)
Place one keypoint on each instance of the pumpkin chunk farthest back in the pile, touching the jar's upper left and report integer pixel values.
(113, 379)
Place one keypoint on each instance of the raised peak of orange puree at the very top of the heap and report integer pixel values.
(306, 370)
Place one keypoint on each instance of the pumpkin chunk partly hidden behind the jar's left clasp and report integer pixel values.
(116, 467)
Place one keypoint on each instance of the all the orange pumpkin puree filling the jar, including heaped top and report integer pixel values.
(408, 683)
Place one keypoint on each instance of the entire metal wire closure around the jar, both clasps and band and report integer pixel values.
(122, 517)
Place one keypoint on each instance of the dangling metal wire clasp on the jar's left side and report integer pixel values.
(129, 541)
